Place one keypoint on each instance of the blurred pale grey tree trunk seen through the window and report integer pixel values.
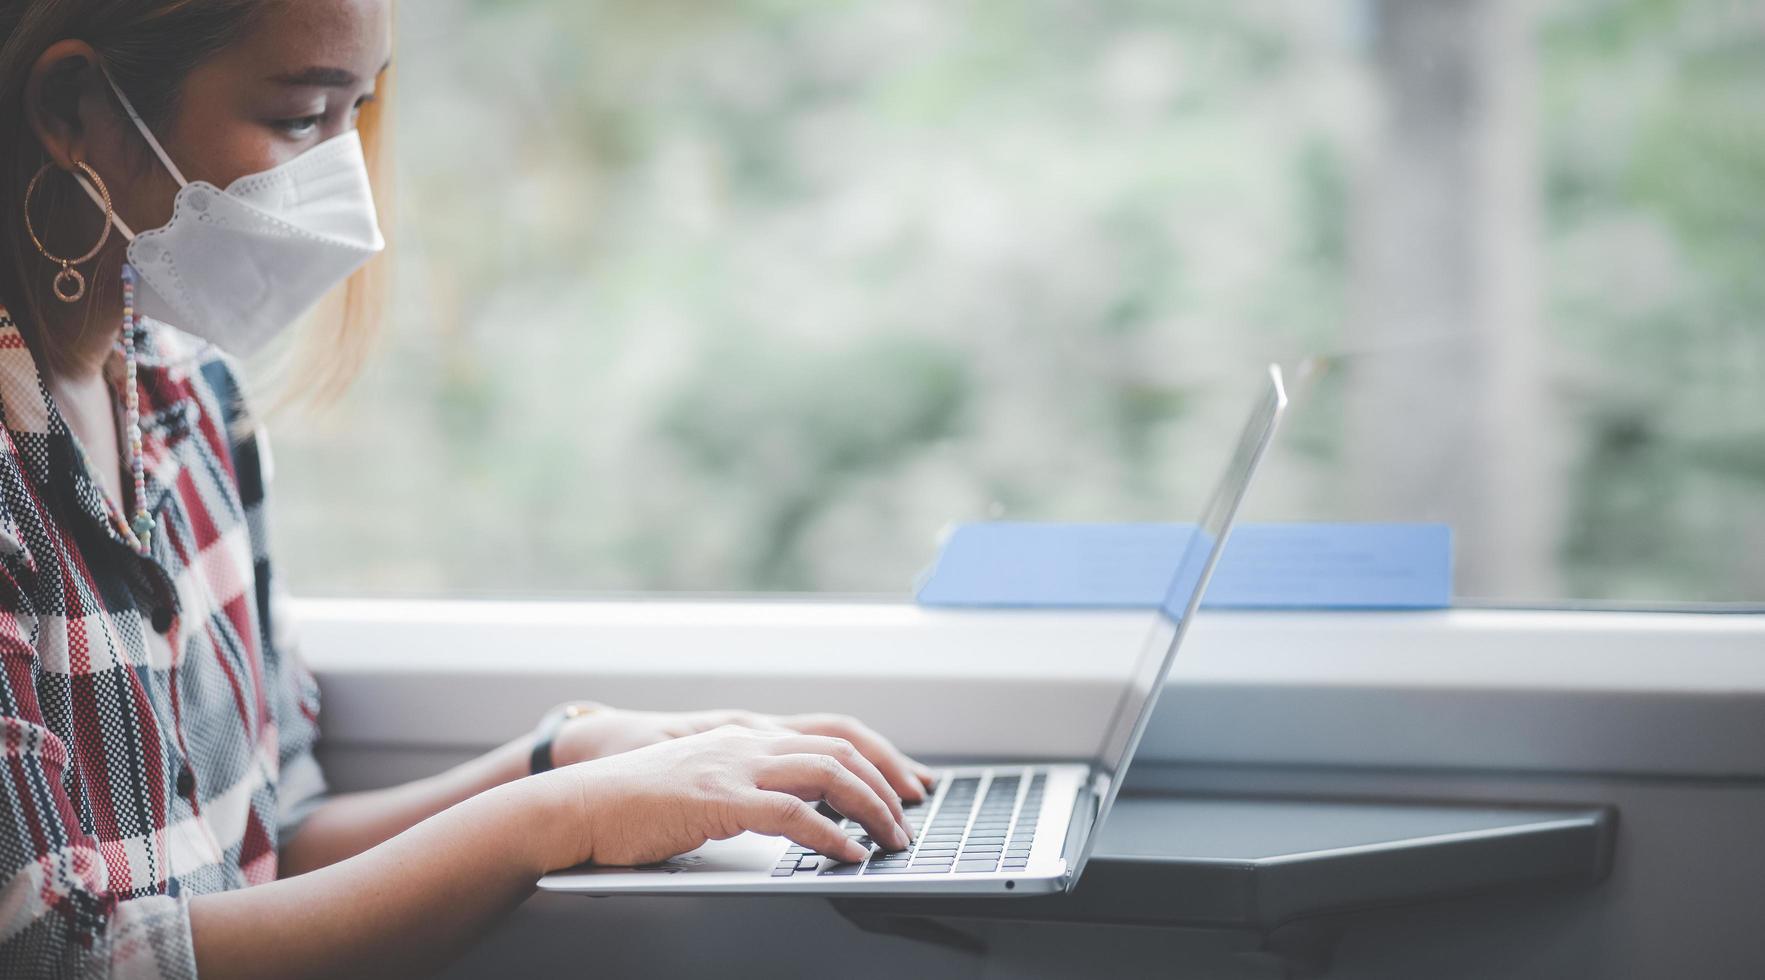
(1448, 414)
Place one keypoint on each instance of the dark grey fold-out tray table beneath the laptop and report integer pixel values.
(1281, 868)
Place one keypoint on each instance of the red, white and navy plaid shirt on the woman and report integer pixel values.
(158, 743)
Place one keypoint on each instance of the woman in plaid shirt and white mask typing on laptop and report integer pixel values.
(160, 804)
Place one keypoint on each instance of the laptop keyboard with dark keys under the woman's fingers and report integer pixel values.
(980, 824)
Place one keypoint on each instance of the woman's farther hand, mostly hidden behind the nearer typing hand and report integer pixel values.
(610, 732)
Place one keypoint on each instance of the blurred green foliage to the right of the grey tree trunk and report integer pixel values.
(1656, 167)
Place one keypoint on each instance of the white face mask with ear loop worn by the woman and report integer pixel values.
(237, 268)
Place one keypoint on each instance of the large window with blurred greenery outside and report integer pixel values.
(756, 296)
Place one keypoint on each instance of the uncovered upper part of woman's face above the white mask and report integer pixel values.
(294, 82)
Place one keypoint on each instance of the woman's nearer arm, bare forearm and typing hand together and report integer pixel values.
(409, 905)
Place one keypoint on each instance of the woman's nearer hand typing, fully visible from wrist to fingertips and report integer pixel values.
(672, 797)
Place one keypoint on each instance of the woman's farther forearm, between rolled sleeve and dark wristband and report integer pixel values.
(356, 822)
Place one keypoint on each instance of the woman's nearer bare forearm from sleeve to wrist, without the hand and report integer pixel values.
(403, 907)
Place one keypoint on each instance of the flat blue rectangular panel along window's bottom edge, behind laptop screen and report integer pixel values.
(1016, 564)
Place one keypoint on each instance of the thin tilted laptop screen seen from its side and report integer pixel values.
(1185, 592)
